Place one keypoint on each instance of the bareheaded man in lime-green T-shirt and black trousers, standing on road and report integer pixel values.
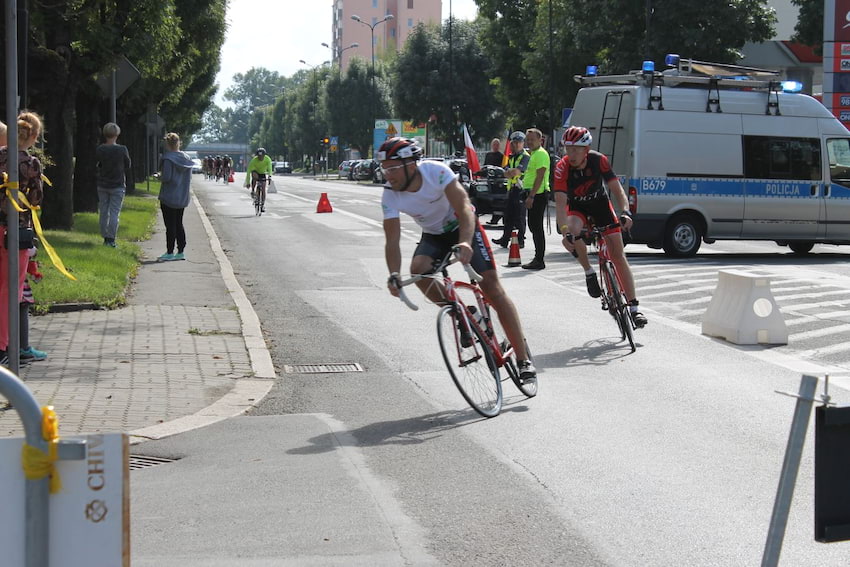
(536, 180)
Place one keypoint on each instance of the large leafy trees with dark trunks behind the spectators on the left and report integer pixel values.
(175, 45)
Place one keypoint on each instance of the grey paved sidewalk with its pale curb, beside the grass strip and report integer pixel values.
(186, 351)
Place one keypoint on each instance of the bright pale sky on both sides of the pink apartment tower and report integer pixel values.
(273, 35)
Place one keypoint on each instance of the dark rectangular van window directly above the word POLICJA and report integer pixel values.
(772, 157)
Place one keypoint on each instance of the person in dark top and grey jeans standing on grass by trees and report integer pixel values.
(113, 160)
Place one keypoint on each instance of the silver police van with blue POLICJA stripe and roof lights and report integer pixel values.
(708, 152)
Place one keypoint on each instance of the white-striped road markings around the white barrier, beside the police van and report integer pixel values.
(814, 304)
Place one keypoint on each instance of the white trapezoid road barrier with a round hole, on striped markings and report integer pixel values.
(743, 311)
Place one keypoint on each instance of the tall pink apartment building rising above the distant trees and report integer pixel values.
(389, 34)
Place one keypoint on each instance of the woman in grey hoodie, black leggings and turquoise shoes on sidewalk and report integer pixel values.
(174, 196)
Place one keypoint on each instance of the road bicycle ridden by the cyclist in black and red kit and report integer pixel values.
(613, 295)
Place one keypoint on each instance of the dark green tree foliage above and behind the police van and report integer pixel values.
(532, 82)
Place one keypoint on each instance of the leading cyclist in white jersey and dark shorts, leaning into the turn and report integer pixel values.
(429, 192)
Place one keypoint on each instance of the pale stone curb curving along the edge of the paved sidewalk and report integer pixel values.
(246, 392)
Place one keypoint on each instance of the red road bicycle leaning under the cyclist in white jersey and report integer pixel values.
(473, 344)
